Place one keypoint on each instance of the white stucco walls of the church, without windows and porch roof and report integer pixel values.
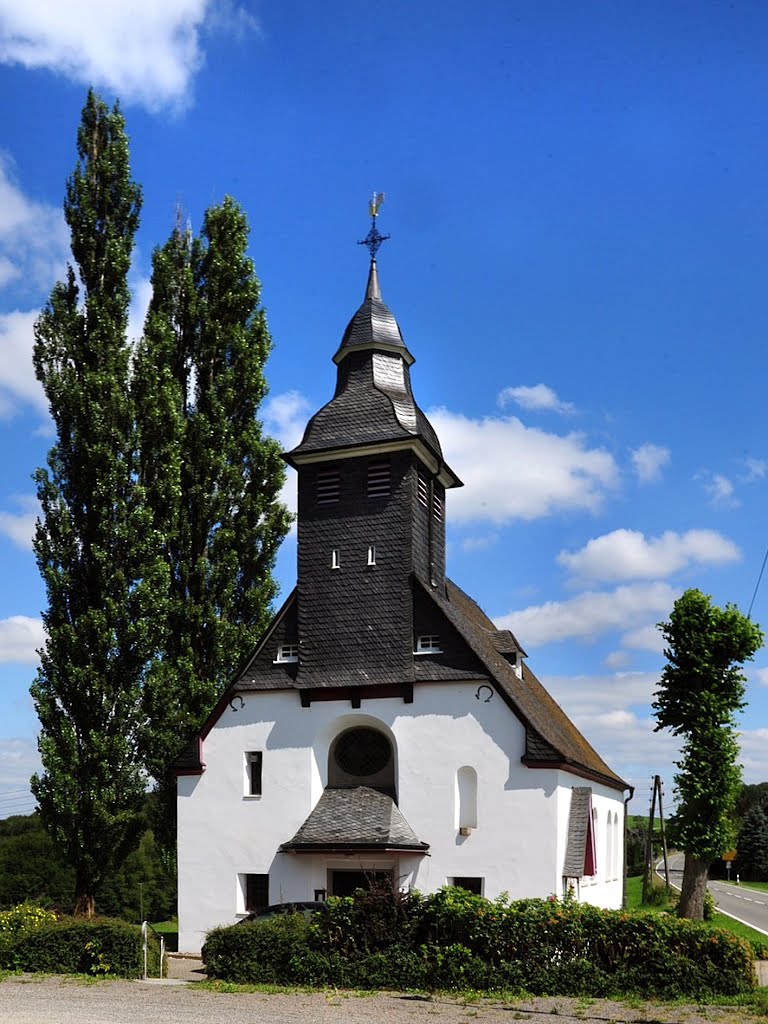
(518, 847)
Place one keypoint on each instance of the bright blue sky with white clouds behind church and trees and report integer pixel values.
(577, 198)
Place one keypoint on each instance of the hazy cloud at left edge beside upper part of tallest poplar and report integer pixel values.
(34, 240)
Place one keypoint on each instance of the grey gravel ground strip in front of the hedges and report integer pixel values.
(61, 1001)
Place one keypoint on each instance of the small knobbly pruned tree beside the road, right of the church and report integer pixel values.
(701, 691)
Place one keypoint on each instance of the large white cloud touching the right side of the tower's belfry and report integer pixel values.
(517, 473)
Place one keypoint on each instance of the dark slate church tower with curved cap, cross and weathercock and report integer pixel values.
(372, 485)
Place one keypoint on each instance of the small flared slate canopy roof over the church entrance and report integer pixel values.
(358, 819)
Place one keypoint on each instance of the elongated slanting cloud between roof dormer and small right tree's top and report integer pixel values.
(590, 615)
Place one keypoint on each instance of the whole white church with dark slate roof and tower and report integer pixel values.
(385, 727)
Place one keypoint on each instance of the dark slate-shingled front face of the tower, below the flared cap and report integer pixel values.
(356, 622)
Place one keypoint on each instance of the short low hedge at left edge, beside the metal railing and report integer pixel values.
(77, 947)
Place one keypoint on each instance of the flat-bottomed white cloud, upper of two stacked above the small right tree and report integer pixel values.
(627, 554)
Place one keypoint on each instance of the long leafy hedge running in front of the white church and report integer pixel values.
(455, 941)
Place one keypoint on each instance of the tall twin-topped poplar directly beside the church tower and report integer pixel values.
(212, 477)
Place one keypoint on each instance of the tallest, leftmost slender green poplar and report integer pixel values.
(96, 541)
